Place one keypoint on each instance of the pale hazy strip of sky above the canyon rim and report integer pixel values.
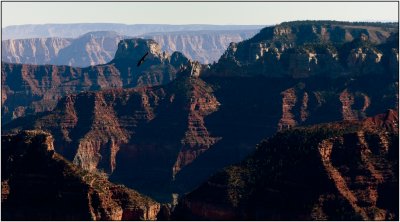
(263, 13)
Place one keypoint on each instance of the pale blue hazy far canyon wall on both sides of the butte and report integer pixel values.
(99, 47)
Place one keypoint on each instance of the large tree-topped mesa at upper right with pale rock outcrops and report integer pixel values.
(303, 49)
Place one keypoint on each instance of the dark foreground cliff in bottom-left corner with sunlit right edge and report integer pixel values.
(39, 184)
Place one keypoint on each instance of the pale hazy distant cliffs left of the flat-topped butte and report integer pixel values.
(92, 48)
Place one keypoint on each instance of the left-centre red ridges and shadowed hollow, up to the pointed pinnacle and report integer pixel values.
(120, 130)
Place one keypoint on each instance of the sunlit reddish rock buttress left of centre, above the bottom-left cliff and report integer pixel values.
(94, 136)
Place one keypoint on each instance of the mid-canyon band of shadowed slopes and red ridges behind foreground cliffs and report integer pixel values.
(180, 133)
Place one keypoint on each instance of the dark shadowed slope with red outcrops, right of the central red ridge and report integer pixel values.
(252, 108)
